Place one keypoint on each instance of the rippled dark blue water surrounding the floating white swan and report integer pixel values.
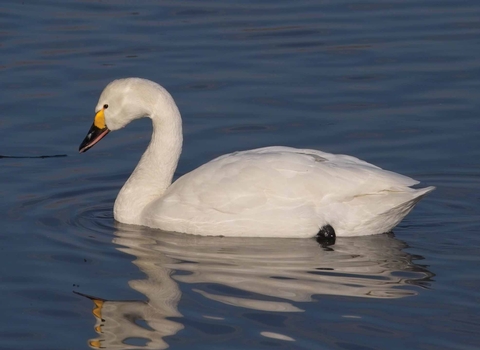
(395, 83)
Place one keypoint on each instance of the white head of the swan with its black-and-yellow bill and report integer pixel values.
(122, 101)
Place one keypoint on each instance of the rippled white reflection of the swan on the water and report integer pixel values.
(273, 275)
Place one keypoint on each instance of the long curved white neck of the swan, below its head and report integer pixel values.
(154, 173)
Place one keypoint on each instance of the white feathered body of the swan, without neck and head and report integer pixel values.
(284, 192)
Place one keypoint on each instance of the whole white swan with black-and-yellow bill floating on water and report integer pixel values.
(266, 192)
